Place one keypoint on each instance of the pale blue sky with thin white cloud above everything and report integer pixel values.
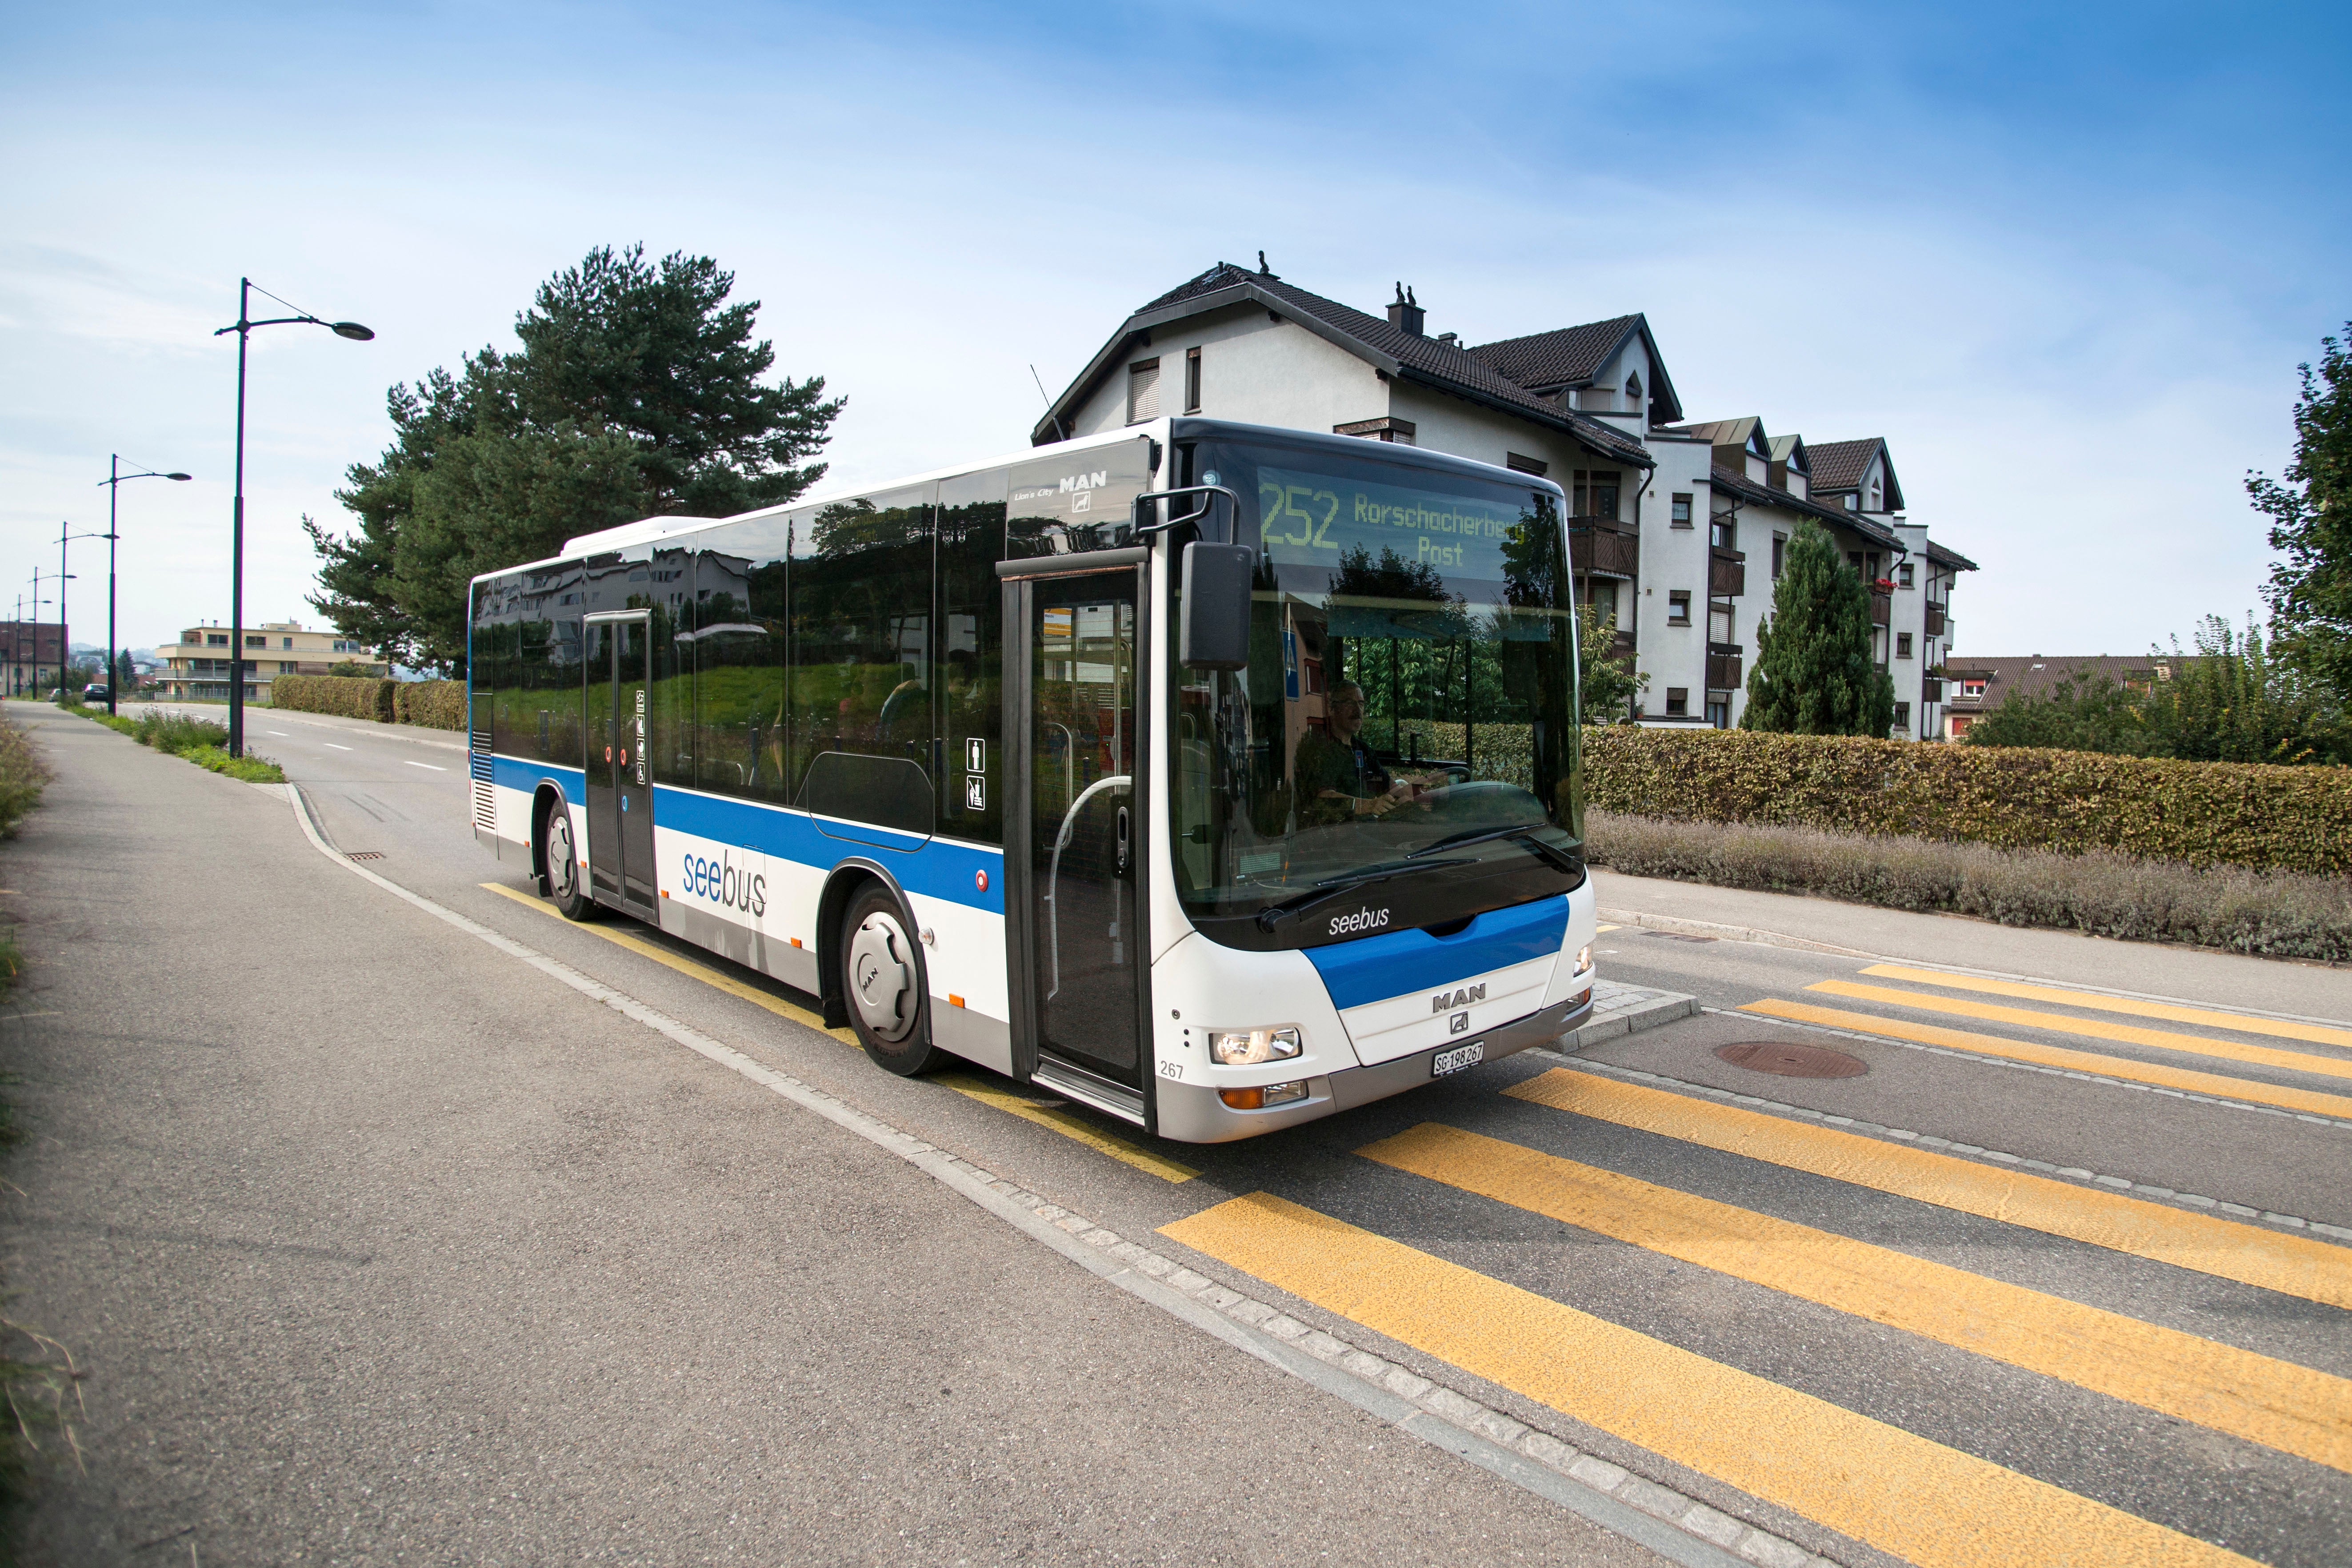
(2064, 257)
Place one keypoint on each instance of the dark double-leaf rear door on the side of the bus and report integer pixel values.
(620, 772)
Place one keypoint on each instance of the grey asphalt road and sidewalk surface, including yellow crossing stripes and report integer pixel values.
(380, 1245)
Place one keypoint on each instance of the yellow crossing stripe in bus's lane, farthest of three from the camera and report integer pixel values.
(2207, 1245)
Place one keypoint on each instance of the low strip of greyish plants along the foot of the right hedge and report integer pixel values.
(2285, 916)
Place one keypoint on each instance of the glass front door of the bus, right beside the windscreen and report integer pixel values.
(1076, 831)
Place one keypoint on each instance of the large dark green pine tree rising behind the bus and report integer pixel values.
(639, 391)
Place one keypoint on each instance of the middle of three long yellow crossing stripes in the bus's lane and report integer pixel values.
(2261, 1400)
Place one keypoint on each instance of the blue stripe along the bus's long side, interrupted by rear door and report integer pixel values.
(935, 869)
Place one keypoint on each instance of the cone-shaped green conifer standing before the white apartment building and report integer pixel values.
(1815, 674)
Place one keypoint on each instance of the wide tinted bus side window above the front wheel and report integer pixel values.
(862, 662)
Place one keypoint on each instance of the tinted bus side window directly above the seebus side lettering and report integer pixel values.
(740, 638)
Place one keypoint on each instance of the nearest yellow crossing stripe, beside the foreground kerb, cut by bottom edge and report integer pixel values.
(1932, 1506)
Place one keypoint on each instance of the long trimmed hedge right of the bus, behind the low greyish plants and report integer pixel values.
(2017, 798)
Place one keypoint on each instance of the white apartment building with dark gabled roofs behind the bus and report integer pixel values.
(1676, 528)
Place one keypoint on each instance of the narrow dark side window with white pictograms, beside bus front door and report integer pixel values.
(968, 671)
